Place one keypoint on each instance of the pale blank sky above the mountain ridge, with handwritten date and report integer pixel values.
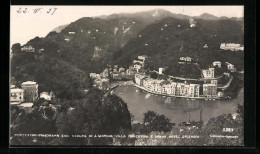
(26, 25)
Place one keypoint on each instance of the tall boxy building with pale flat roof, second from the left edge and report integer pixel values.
(30, 91)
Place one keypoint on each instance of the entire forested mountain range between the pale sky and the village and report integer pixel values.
(89, 44)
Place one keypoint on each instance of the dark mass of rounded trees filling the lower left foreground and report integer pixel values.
(96, 114)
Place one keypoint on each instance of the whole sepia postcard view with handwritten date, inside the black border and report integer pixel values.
(126, 75)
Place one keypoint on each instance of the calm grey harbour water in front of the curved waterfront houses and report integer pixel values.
(176, 109)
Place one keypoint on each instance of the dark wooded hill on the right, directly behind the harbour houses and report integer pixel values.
(167, 40)
